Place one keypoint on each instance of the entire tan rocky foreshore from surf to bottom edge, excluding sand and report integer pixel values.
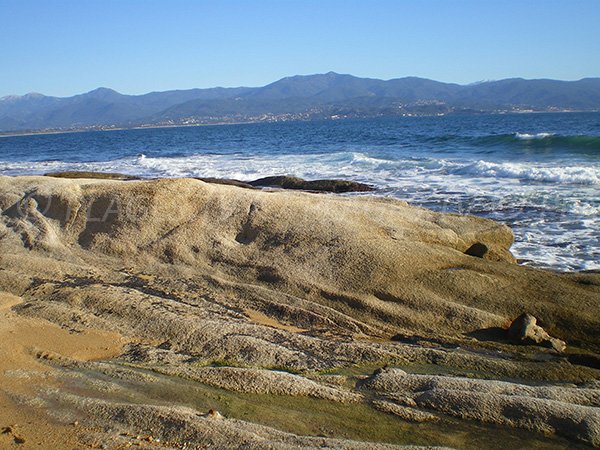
(290, 299)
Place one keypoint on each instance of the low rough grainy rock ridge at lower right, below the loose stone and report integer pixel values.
(571, 412)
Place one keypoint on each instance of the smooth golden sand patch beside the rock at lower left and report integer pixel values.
(25, 340)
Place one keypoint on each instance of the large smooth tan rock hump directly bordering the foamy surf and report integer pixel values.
(353, 265)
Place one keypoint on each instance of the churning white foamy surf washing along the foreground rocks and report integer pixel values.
(552, 208)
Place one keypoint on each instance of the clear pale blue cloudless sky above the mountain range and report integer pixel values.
(65, 47)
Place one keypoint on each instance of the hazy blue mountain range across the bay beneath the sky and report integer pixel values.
(309, 97)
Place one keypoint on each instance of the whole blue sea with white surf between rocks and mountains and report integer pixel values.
(538, 173)
